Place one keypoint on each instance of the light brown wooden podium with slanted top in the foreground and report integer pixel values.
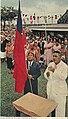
(34, 105)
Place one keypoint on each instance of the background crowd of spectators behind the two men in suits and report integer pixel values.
(41, 47)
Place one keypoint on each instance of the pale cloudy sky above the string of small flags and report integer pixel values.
(39, 7)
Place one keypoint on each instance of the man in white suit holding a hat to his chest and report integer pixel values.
(56, 73)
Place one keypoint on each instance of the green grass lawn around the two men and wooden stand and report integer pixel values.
(8, 95)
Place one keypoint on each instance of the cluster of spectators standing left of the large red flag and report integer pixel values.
(7, 48)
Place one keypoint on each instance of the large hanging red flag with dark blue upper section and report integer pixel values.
(20, 71)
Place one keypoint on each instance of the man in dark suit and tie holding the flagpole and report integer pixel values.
(34, 72)
